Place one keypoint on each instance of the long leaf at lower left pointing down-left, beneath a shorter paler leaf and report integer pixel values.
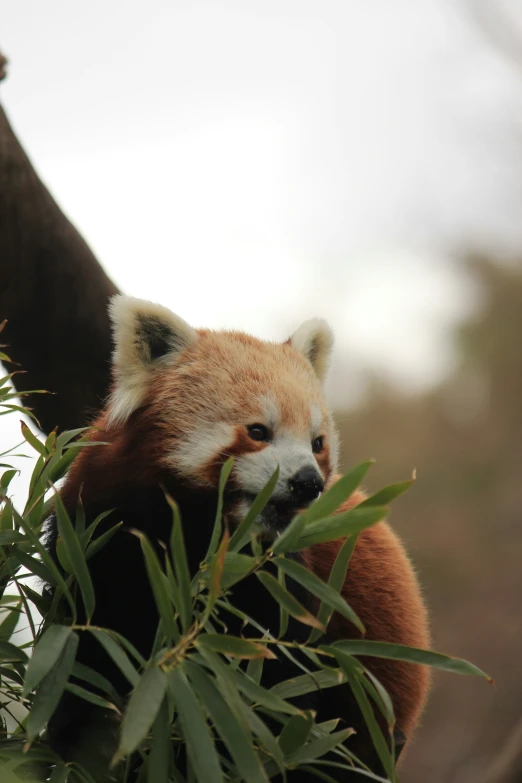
(51, 688)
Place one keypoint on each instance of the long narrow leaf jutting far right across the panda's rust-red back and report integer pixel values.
(399, 652)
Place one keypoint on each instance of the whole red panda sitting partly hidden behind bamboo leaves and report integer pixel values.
(183, 400)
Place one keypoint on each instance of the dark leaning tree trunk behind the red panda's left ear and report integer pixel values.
(53, 293)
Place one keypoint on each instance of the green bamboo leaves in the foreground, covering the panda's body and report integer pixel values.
(201, 687)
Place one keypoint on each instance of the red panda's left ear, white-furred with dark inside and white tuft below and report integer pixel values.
(145, 335)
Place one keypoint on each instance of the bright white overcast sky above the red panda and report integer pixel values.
(254, 163)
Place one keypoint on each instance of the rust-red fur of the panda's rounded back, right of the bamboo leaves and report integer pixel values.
(382, 589)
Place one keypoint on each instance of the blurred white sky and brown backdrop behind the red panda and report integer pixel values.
(251, 165)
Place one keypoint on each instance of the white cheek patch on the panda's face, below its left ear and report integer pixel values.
(200, 446)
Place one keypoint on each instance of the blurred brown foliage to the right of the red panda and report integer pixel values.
(463, 522)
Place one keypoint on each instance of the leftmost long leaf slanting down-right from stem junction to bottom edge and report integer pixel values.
(196, 733)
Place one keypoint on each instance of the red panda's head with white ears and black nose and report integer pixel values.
(213, 394)
